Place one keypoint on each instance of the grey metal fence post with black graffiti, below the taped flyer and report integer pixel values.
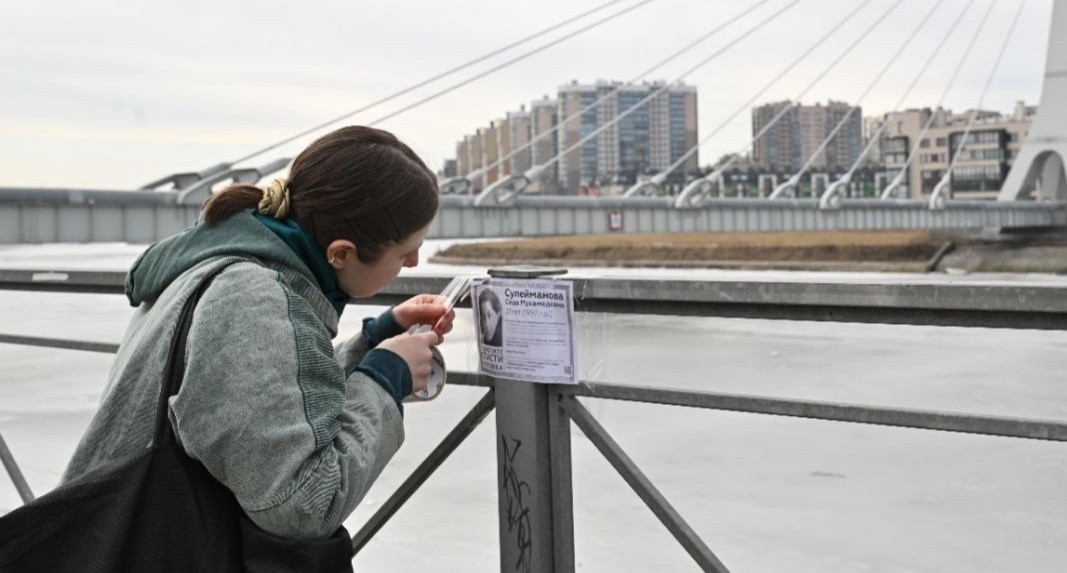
(534, 471)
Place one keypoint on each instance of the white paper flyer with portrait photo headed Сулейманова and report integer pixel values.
(525, 329)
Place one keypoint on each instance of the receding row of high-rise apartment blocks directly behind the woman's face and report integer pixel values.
(636, 130)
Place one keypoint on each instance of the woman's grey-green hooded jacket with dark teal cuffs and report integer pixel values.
(298, 431)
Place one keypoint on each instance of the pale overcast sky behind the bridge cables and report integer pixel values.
(113, 94)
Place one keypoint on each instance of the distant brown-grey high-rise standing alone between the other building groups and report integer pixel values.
(793, 140)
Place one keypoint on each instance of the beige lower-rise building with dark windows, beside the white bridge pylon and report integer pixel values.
(992, 146)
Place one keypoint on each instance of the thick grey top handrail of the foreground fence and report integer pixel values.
(1024, 306)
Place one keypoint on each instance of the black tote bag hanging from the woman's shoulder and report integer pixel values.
(156, 512)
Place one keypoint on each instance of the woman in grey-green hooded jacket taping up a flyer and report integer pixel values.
(298, 431)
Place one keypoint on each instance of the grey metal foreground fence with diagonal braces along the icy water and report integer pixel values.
(534, 421)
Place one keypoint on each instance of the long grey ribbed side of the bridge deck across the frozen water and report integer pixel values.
(42, 216)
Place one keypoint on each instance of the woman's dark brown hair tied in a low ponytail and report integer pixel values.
(358, 184)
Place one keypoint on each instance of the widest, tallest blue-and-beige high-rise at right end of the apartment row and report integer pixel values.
(643, 138)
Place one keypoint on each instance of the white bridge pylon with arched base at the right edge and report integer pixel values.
(1041, 163)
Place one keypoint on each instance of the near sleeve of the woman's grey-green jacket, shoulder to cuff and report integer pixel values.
(268, 410)
